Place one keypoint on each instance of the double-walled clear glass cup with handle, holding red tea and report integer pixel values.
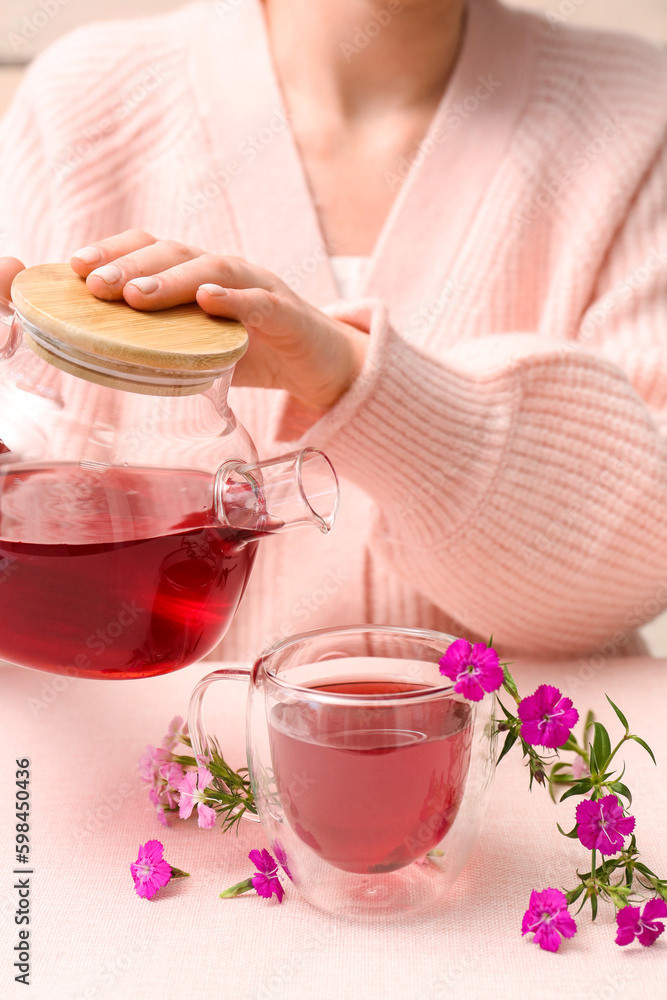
(370, 774)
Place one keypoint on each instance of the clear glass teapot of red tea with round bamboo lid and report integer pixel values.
(131, 499)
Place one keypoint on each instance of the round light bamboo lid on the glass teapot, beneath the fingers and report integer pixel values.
(171, 352)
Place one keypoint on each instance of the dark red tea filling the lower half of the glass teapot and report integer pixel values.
(150, 584)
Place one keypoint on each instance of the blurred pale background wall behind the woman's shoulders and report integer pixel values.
(28, 26)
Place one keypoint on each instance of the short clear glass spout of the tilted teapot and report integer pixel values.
(286, 492)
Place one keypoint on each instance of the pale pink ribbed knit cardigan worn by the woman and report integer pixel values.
(502, 455)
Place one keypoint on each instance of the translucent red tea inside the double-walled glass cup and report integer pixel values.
(371, 787)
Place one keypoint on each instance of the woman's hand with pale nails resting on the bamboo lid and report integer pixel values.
(293, 345)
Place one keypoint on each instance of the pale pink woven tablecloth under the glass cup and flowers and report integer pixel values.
(93, 938)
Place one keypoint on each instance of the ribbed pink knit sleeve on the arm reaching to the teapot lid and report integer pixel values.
(521, 483)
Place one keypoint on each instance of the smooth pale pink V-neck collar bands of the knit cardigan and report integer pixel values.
(430, 225)
